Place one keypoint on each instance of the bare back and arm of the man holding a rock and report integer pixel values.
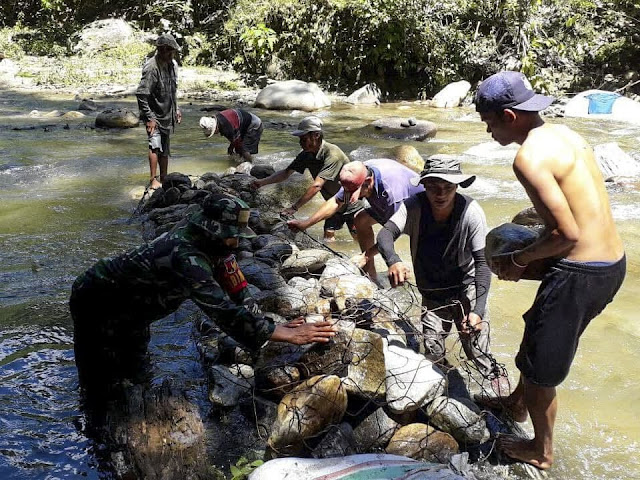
(559, 171)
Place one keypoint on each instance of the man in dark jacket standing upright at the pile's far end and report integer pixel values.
(158, 104)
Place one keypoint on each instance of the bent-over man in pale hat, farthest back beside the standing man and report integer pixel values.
(243, 130)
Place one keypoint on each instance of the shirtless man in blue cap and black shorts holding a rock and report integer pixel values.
(558, 170)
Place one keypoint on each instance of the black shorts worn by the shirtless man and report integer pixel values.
(569, 297)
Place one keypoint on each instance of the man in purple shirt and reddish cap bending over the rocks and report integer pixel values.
(383, 182)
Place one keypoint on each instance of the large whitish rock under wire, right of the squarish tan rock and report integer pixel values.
(412, 380)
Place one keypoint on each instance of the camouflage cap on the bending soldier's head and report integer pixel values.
(224, 216)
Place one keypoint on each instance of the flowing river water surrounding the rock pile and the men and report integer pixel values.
(65, 201)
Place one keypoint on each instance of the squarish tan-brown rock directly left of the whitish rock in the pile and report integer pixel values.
(366, 372)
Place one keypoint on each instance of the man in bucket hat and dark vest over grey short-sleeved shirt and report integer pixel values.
(447, 239)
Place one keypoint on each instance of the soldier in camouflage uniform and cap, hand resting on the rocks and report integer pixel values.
(116, 300)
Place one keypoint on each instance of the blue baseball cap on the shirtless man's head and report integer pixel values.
(509, 90)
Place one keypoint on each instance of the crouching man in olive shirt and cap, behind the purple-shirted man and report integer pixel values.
(324, 161)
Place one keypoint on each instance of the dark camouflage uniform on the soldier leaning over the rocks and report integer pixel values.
(114, 302)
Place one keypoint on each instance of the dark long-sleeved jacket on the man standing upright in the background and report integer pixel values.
(157, 93)
